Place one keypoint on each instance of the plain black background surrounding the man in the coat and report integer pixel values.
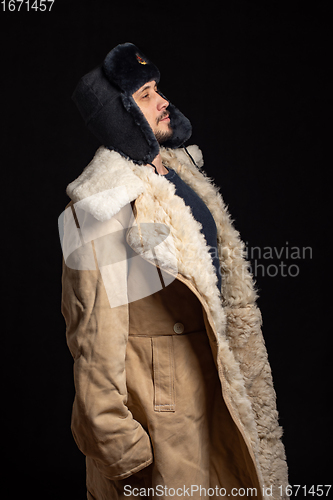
(252, 78)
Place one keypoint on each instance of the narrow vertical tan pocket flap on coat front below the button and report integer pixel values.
(164, 375)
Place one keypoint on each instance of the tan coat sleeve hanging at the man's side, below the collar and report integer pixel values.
(96, 314)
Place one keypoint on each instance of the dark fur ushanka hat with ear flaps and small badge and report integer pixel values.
(104, 98)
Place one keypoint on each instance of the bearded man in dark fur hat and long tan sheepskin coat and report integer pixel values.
(174, 395)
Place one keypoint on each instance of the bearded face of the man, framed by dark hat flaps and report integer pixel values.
(154, 108)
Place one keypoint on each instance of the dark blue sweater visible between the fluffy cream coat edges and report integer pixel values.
(201, 213)
